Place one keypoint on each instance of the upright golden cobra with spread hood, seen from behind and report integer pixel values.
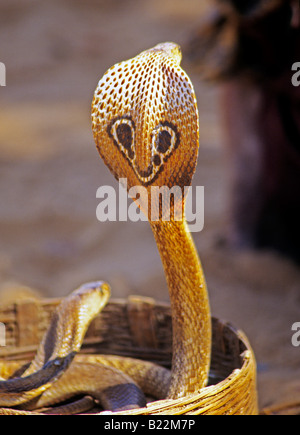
(145, 125)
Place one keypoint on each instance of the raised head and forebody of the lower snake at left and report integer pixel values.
(58, 347)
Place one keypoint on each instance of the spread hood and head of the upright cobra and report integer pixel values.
(145, 120)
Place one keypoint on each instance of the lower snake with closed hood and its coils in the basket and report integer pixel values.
(57, 372)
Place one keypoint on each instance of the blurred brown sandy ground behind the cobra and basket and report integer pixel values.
(55, 52)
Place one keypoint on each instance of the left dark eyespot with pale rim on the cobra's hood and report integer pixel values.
(121, 130)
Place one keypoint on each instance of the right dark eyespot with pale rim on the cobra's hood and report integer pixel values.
(165, 139)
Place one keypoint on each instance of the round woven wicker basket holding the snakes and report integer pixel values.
(141, 328)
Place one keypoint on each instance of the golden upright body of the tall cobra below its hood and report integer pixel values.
(191, 320)
